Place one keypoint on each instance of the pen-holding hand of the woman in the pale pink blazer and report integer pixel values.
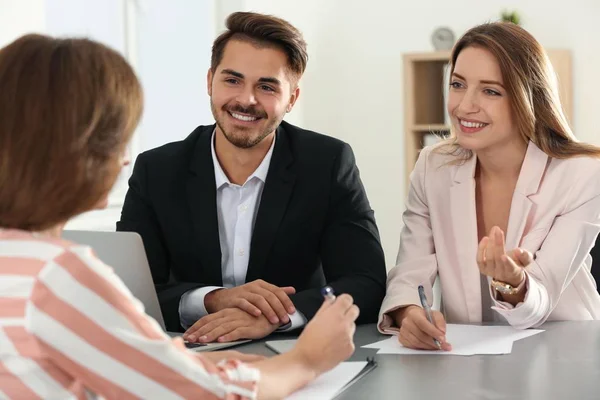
(421, 327)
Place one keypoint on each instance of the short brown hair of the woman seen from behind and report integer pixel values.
(68, 107)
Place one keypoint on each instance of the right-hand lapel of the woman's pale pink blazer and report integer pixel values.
(530, 177)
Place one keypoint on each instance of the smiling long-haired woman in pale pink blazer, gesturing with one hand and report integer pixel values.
(506, 210)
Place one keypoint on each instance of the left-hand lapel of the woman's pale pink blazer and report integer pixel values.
(464, 225)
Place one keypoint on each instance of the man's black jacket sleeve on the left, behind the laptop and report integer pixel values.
(138, 215)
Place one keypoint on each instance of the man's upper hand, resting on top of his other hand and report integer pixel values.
(256, 298)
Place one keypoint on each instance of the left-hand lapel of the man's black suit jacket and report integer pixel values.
(202, 198)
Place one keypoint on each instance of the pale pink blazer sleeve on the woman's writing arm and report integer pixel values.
(416, 263)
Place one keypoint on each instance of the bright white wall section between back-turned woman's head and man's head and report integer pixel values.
(175, 39)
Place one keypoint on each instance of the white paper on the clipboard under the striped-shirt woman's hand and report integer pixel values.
(328, 385)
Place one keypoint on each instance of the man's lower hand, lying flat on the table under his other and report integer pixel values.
(229, 325)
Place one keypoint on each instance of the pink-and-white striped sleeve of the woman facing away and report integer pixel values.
(87, 321)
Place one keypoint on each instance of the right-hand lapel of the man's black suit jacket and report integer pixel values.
(273, 204)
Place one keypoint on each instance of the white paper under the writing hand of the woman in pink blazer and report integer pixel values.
(466, 340)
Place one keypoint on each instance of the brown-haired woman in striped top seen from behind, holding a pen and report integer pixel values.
(69, 328)
